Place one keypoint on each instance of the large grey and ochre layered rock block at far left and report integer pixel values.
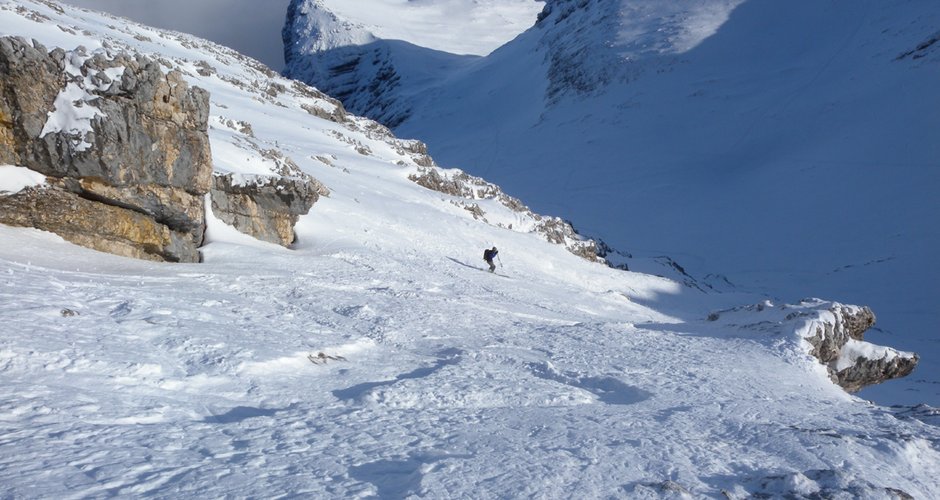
(124, 145)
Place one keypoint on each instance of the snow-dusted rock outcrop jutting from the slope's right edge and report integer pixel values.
(833, 333)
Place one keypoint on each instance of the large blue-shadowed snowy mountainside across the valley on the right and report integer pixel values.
(791, 147)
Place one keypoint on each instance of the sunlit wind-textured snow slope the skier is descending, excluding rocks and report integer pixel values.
(376, 359)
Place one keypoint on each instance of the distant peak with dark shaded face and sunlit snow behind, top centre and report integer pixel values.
(378, 55)
